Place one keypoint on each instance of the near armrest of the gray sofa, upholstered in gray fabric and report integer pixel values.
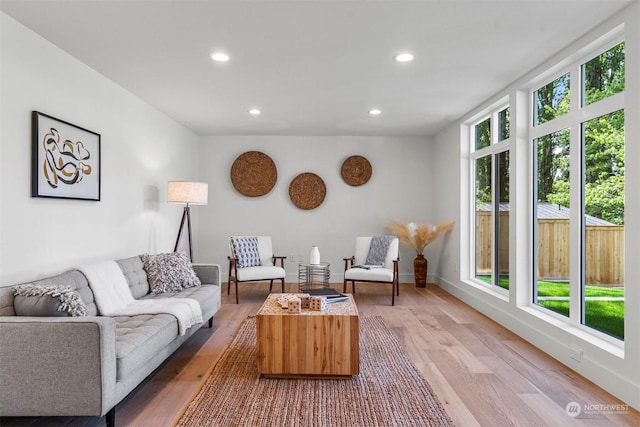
(57, 365)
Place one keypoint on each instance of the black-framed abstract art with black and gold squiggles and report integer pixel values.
(65, 159)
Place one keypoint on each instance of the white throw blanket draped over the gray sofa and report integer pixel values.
(113, 297)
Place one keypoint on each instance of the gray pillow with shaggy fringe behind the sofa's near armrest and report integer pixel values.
(37, 300)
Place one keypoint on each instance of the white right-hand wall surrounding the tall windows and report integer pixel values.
(616, 370)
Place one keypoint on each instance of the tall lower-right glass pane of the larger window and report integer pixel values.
(603, 228)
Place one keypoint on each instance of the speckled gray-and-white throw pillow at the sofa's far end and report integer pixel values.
(170, 272)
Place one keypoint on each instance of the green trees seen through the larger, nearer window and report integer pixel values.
(603, 139)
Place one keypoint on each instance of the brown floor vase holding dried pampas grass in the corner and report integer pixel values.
(418, 236)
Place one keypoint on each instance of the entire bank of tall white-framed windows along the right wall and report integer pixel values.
(570, 156)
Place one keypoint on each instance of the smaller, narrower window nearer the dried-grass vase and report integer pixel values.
(491, 136)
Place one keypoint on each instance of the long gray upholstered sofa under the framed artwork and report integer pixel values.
(84, 366)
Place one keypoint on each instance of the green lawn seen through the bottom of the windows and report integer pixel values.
(604, 316)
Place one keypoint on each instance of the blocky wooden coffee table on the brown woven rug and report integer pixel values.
(310, 343)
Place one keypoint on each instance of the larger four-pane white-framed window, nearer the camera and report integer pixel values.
(578, 218)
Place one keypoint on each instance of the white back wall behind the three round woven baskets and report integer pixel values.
(400, 188)
